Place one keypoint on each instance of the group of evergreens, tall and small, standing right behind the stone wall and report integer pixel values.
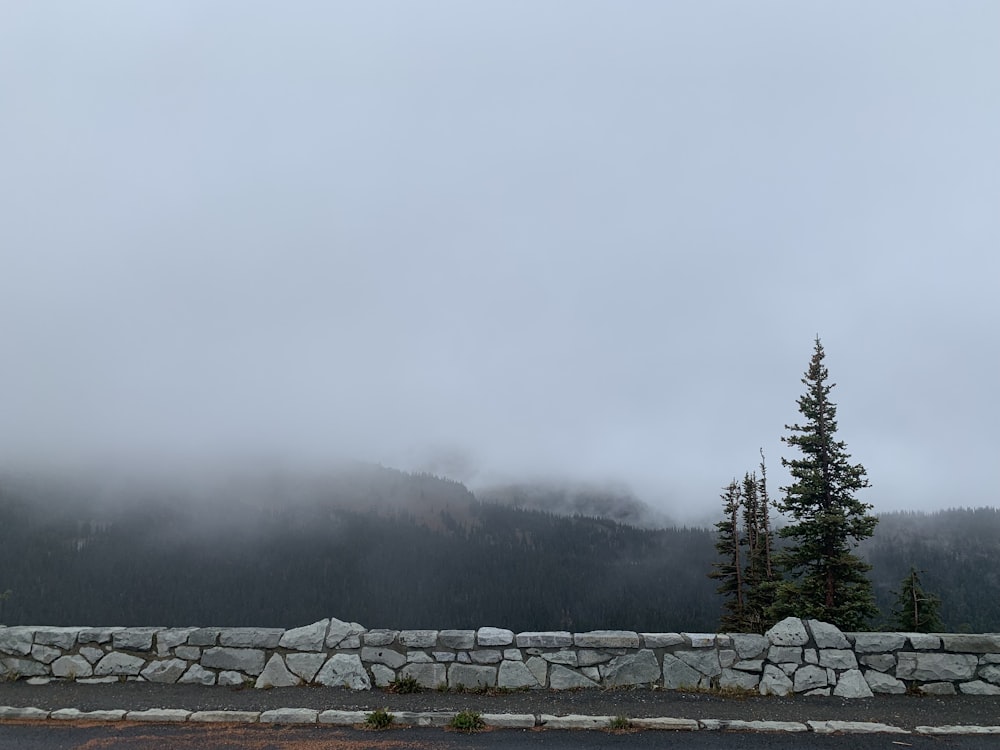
(817, 571)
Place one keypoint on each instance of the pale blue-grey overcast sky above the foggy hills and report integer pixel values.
(504, 239)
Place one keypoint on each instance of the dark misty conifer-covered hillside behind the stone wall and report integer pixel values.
(389, 549)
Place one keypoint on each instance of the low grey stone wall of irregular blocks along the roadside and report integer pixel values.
(795, 656)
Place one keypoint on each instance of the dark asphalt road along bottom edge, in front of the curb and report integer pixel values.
(73, 736)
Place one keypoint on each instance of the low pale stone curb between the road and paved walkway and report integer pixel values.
(499, 721)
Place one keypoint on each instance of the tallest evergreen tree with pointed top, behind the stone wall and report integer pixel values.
(825, 579)
